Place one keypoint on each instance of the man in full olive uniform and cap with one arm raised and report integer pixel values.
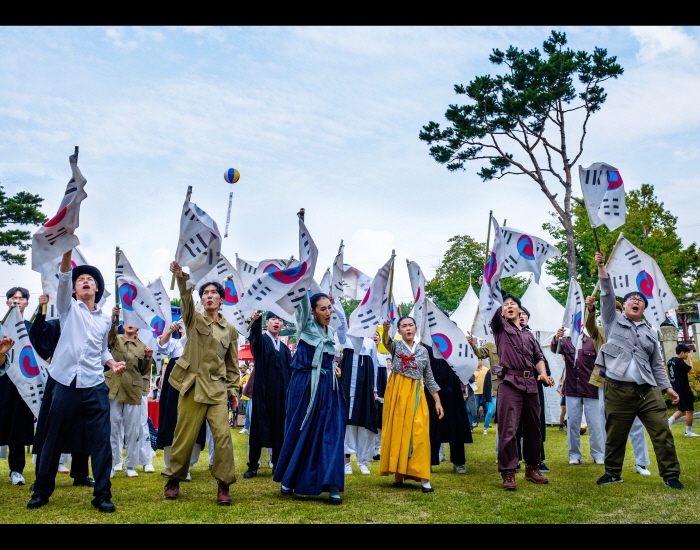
(207, 377)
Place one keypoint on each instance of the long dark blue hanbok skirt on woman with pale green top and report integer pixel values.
(312, 459)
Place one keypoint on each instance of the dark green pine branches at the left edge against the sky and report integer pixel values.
(22, 209)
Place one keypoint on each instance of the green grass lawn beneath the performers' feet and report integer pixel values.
(477, 497)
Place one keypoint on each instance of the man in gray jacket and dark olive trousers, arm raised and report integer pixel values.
(635, 378)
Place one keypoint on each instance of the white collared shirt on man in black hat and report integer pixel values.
(82, 350)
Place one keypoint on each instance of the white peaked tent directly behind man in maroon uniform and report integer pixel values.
(546, 315)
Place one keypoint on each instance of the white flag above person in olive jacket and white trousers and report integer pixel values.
(140, 307)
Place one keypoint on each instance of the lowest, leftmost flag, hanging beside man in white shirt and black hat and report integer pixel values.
(26, 369)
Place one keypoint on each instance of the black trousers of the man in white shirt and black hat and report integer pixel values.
(69, 403)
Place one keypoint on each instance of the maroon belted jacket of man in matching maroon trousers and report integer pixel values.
(518, 350)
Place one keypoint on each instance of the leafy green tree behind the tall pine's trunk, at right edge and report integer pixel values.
(648, 226)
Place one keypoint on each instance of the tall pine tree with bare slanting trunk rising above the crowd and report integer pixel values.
(520, 122)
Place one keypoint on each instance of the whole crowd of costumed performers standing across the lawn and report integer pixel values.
(317, 407)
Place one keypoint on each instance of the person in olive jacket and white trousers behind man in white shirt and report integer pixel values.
(125, 393)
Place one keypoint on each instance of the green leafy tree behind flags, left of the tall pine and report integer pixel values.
(464, 263)
